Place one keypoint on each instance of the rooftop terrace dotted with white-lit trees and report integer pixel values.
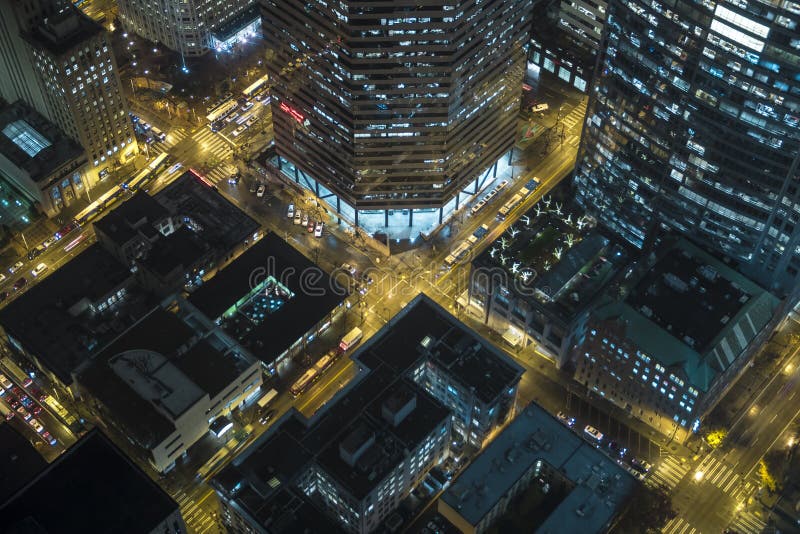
(553, 258)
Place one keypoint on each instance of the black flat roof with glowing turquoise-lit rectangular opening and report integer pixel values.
(268, 326)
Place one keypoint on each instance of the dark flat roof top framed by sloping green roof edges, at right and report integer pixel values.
(689, 297)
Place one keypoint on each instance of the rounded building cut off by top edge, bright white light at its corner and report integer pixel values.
(190, 28)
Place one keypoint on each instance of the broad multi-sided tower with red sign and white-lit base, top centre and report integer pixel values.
(380, 107)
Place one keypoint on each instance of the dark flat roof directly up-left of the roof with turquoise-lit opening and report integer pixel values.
(222, 225)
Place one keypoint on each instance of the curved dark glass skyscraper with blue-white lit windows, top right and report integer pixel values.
(695, 125)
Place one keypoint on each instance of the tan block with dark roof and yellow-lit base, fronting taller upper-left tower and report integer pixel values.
(83, 92)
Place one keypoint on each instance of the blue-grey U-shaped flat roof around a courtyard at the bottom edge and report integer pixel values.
(600, 489)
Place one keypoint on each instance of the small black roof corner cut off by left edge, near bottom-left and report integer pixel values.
(20, 460)
